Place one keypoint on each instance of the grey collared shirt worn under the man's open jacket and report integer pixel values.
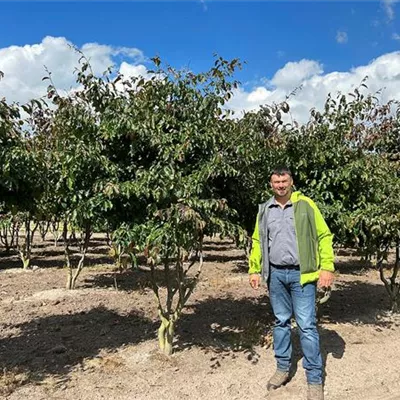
(282, 242)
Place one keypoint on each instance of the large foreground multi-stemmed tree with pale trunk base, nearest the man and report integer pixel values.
(167, 135)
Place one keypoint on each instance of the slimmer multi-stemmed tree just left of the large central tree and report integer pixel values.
(78, 172)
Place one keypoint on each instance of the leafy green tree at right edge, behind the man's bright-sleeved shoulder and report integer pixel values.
(345, 159)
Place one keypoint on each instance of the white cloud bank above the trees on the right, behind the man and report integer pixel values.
(383, 73)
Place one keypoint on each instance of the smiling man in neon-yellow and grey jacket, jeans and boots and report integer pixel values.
(292, 252)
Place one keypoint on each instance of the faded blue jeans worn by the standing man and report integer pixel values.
(287, 296)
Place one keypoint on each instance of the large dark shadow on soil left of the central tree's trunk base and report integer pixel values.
(57, 343)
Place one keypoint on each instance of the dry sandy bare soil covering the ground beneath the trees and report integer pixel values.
(97, 342)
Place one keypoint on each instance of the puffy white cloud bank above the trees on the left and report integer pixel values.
(24, 66)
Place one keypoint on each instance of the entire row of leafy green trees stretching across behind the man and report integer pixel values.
(161, 162)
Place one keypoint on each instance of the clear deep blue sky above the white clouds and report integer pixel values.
(337, 35)
